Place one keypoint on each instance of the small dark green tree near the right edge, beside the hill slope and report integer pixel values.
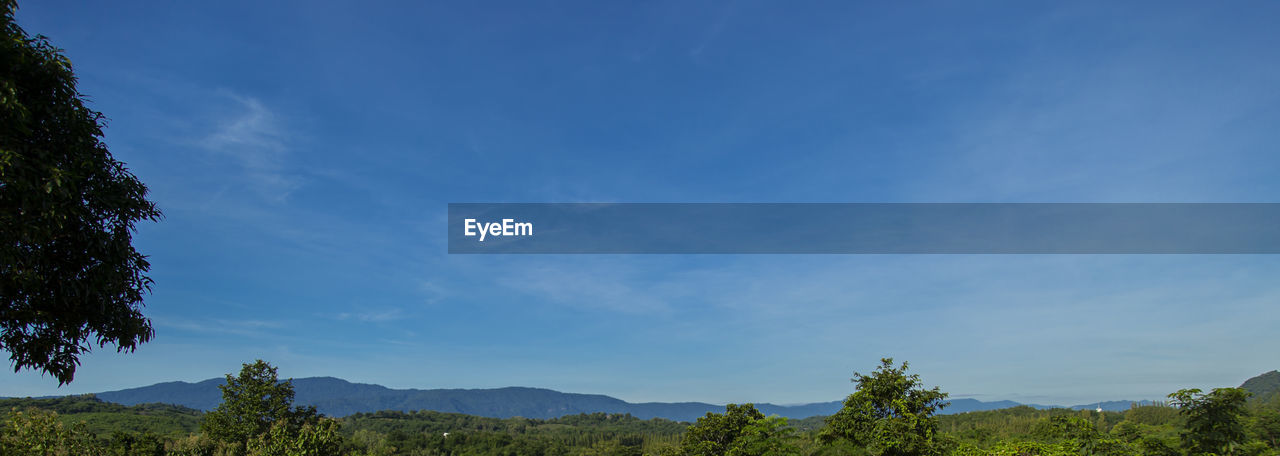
(1214, 421)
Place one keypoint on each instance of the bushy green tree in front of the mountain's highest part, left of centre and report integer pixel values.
(253, 404)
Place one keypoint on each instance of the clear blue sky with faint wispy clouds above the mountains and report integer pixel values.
(304, 156)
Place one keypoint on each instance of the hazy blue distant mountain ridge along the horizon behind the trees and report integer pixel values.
(339, 398)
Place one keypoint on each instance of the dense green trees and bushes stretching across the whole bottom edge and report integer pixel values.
(890, 413)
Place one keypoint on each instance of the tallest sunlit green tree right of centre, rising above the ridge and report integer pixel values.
(890, 414)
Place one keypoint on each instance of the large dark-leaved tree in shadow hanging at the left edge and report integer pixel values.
(68, 270)
